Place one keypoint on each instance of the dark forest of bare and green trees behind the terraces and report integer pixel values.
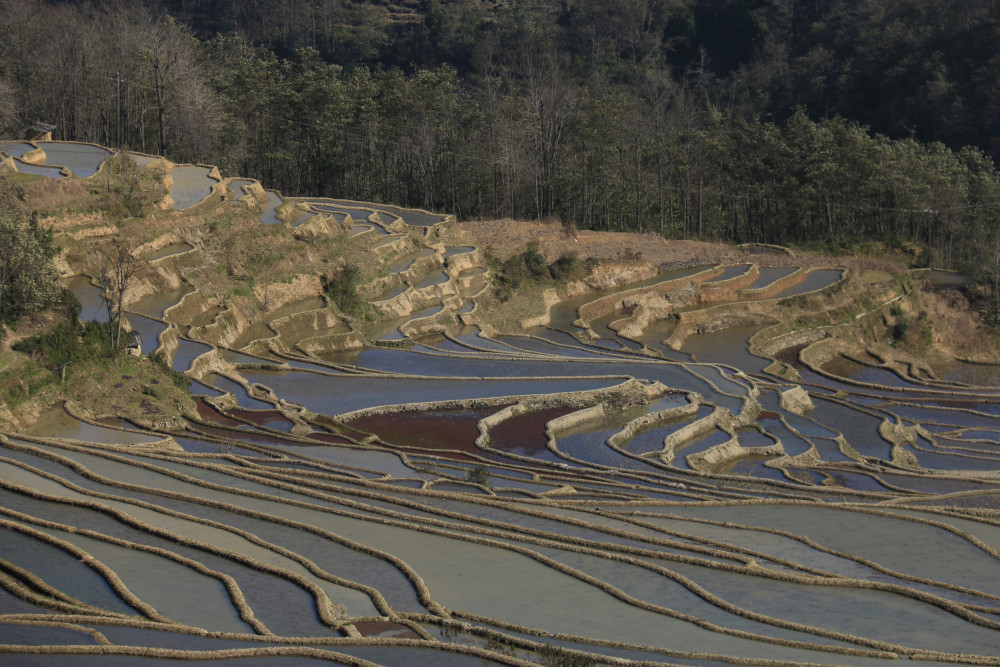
(824, 122)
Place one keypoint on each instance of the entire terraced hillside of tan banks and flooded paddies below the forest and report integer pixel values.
(693, 464)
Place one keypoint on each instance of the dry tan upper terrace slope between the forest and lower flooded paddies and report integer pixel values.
(237, 288)
